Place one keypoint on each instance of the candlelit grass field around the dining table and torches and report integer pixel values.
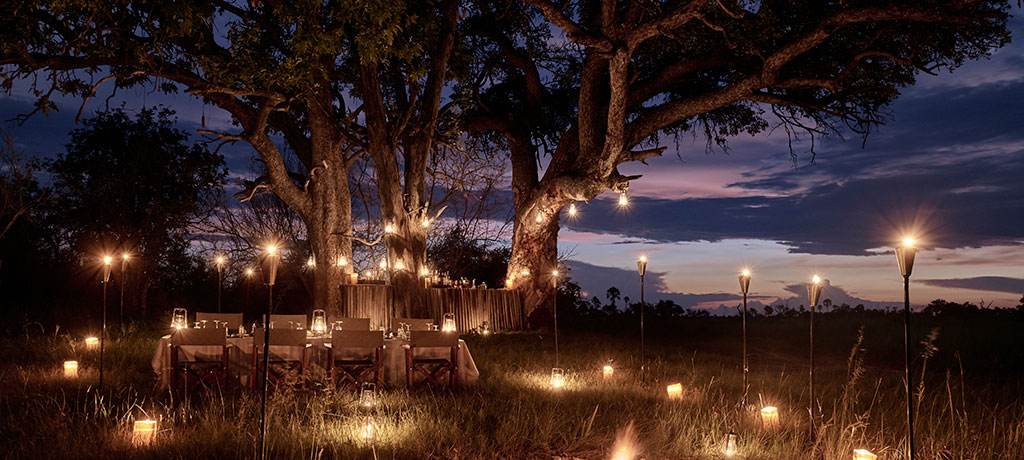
(969, 400)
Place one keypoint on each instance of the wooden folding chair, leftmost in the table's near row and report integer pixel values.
(202, 369)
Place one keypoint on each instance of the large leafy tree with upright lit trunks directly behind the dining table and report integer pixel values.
(324, 81)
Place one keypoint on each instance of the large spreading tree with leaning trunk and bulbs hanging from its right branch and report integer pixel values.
(639, 72)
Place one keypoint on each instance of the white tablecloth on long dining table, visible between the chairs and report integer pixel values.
(240, 359)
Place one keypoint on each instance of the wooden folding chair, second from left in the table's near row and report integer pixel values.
(281, 368)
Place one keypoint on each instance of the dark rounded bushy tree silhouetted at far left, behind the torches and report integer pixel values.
(113, 193)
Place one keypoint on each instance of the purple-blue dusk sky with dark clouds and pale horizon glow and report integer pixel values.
(948, 169)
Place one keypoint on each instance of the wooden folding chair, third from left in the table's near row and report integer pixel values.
(357, 355)
